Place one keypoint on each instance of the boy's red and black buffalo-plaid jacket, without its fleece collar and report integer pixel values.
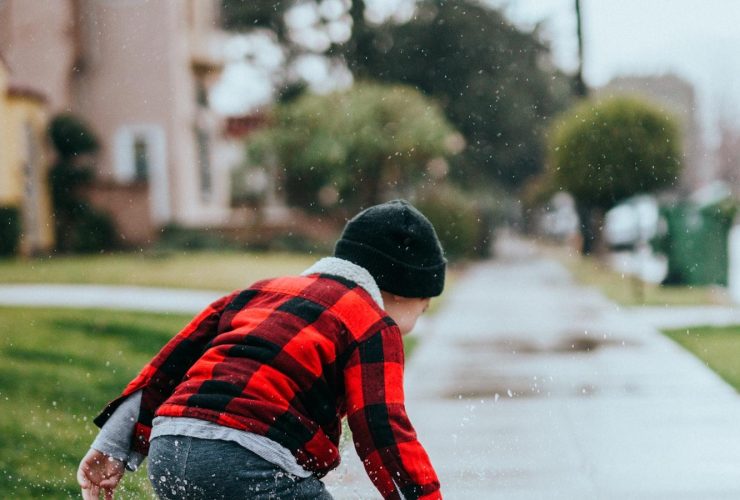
(287, 359)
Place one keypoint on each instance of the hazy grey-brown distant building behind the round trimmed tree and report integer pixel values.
(677, 97)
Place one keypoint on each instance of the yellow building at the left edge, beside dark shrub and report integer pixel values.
(24, 162)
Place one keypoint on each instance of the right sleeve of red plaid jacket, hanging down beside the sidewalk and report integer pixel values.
(383, 436)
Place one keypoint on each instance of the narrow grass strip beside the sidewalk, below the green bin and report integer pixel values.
(629, 291)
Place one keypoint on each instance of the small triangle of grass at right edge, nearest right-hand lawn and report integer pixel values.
(718, 347)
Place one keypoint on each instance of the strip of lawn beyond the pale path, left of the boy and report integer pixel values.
(207, 270)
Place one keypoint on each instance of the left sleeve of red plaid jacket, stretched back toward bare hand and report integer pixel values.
(158, 379)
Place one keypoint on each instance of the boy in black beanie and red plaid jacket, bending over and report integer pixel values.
(247, 400)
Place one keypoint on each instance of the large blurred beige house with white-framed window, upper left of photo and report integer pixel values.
(137, 71)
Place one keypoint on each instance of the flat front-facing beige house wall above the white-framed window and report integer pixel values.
(127, 86)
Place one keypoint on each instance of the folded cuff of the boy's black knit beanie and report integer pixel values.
(392, 275)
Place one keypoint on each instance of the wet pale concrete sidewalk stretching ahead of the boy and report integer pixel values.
(528, 386)
